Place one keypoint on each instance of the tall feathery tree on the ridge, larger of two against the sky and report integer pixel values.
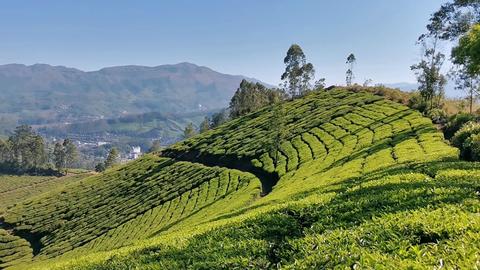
(298, 73)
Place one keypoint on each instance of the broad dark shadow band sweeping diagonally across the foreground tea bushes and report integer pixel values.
(264, 239)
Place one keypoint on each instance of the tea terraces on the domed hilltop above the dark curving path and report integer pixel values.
(360, 124)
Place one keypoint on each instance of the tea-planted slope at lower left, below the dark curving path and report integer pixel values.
(95, 206)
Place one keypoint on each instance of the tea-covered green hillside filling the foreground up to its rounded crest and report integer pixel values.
(361, 182)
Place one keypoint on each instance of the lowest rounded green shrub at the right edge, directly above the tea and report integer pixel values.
(463, 140)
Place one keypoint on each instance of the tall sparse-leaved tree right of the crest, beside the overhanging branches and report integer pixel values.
(428, 72)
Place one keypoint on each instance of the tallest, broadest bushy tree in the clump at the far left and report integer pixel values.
(28, 148)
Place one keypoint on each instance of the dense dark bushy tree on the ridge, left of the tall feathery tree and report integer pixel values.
(250, 97)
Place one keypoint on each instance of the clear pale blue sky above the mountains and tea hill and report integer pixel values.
(248, 37)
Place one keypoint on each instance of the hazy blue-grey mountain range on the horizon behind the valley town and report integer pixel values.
(43, 94)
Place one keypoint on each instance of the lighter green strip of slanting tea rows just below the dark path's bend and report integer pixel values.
(162, 217)
